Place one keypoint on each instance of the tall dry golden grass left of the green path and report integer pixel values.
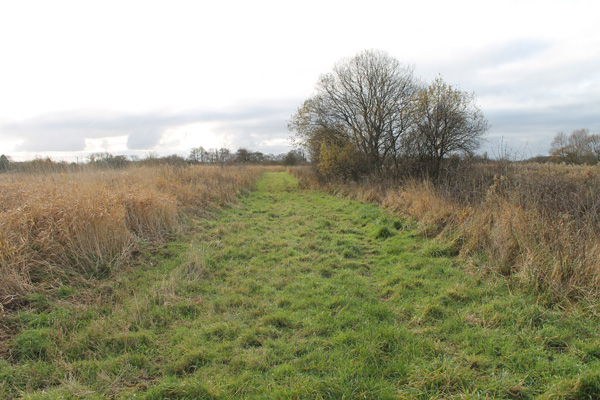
(56, 226)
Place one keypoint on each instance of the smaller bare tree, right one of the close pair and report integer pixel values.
(448, 121)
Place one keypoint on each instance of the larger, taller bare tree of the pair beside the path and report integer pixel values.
(364, 102)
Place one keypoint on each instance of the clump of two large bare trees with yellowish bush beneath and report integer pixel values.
(371, 116)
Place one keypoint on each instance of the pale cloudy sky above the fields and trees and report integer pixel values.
(138, 77)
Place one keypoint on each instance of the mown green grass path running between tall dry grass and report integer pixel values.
(298, 294)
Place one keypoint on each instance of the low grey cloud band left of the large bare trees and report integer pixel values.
(244, 125)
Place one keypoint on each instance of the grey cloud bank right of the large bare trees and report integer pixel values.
(526, 97)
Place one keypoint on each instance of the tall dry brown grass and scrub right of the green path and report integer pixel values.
(537, 223)
